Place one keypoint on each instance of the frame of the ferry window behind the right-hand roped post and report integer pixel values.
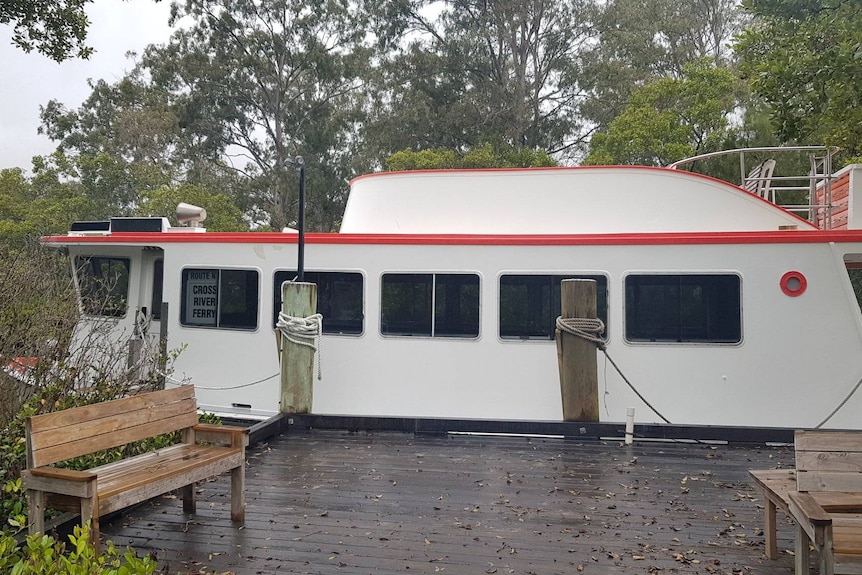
(555, 285)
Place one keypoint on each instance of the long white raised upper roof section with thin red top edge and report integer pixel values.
(593, 200)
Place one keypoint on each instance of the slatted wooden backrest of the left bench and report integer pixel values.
(68, 433)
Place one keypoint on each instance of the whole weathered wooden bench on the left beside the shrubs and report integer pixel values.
(62, 435)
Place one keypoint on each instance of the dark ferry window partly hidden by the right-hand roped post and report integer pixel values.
(530, 304)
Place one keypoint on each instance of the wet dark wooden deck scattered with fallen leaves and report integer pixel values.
(337, 502)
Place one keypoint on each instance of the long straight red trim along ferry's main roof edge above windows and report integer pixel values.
(660, 238)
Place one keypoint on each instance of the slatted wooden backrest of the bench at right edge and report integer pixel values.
(828, 461)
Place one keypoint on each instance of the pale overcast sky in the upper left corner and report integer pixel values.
(28, 81)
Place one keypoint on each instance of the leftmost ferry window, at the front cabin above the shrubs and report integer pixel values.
(104, 284)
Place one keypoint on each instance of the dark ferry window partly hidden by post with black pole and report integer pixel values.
(339, 299)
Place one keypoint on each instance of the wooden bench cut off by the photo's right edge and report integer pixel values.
(823, 495)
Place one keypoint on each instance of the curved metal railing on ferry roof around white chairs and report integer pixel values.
(817, 183)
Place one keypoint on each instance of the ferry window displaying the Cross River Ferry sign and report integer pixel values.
(219, 298)
